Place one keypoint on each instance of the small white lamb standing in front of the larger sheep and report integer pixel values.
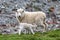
(26, 25)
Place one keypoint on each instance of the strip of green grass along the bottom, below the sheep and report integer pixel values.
(51, 35)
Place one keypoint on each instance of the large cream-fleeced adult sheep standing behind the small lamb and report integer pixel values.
(37, 18)
